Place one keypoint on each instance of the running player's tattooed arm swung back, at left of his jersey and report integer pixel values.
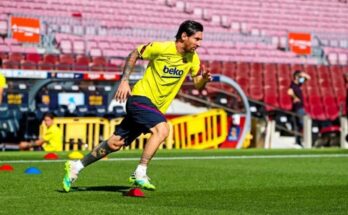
(124, 90)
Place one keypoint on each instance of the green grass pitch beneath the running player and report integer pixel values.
(188, 182)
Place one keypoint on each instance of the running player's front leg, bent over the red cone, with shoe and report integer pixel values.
(158, 134)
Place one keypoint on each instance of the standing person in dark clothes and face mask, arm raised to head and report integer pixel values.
(295, 91)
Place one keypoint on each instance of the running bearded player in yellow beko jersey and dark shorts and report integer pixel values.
(169, 64)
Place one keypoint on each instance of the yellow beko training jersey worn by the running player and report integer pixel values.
(165, 72)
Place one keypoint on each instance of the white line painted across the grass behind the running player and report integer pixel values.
(198, 158)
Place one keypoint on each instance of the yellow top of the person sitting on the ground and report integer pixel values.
(53, 139)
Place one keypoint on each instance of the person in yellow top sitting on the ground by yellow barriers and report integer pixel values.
(52, 139)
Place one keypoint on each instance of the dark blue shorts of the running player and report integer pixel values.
(142, 115)
